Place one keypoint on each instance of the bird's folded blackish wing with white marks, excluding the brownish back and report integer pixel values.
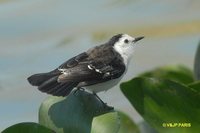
(93, 70)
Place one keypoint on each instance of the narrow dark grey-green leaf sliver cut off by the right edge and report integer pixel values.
(197, 63)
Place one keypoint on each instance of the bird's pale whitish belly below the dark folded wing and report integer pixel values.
(103, 86)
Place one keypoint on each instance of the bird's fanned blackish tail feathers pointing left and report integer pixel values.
(47, 82)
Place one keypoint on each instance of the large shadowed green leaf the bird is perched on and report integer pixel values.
(72, 114)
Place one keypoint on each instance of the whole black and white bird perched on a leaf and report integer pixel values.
(98, 69)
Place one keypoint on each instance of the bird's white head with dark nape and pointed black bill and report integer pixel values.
(125, 45)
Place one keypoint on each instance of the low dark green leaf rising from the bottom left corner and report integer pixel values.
(27, 127)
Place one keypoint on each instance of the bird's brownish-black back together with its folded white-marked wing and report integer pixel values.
(93, 66)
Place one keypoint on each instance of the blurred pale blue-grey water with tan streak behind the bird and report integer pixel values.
(37, 36)
